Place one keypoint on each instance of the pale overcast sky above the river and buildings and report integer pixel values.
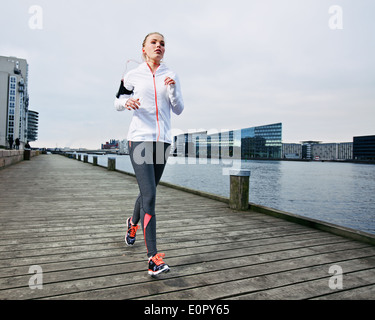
(241, 64)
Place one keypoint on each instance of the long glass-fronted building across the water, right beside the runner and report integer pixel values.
(262, 142)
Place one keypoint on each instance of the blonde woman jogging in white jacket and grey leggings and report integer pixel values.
(151, 91)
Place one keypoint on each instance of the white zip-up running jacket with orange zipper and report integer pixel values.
(152, 121)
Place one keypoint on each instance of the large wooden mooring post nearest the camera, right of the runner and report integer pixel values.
(239, 189)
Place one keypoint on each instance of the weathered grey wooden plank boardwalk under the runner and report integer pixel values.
(68, 218)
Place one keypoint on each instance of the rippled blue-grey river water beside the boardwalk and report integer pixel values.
(339, 193)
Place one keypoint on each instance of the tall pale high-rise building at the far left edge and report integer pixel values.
(14, 100)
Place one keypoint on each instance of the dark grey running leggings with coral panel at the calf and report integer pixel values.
(148, 160)
